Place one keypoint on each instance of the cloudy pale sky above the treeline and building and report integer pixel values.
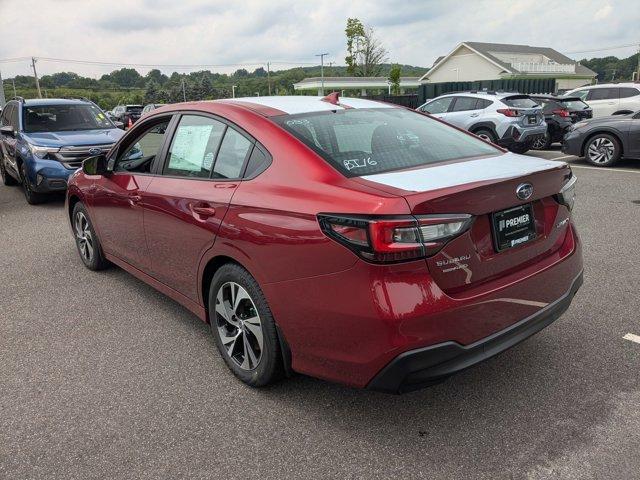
(227, 32)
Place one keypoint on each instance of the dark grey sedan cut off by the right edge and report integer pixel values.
(603, 141)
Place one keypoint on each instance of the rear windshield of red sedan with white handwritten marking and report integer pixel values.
(368, 141)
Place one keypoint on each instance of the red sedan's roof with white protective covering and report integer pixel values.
(294, 104)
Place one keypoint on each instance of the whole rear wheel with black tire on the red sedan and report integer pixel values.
(249, 315)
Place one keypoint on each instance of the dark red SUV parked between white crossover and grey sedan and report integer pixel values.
(559, 113)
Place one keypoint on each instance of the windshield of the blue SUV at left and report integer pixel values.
(61, 118)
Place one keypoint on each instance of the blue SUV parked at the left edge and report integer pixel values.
(43, 141)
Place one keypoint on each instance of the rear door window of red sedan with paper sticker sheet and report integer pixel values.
(194, 146)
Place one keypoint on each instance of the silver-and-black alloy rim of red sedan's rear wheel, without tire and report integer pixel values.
(238, 324)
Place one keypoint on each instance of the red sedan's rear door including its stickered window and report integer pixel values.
(187, 201)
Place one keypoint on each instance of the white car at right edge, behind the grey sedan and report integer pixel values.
(609, 98)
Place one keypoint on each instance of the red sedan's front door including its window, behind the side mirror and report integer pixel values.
(116, 202)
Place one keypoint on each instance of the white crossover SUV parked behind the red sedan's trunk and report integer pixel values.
(511, 120)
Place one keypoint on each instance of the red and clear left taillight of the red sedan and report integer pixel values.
(393, 239)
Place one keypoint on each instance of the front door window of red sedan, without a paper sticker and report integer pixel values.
(139, 155)
